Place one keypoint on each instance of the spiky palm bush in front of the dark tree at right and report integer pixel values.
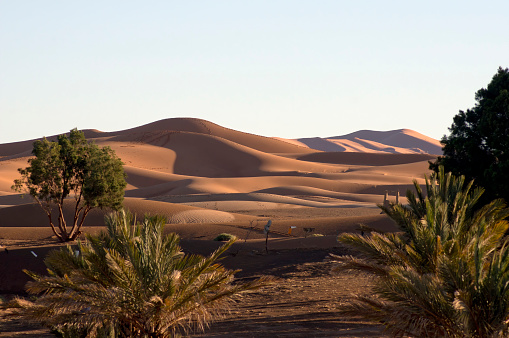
(446, 274)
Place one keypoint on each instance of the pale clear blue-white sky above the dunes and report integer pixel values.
(285, 68)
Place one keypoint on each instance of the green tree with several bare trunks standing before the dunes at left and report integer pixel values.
(72, 167)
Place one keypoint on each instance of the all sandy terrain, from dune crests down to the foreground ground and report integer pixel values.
(207, 179)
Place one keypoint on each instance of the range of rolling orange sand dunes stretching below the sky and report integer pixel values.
(194, 171)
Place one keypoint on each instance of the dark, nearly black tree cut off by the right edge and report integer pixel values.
(478, 144)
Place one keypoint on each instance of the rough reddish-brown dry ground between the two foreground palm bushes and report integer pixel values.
(304, 302)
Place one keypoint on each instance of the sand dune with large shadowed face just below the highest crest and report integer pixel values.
(201, 155)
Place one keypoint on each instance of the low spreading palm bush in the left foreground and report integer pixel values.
(134, 280)
